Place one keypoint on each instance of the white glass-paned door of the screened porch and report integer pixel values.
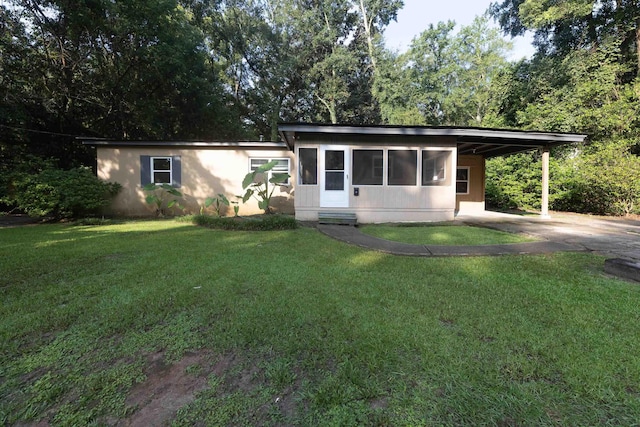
(334, 177)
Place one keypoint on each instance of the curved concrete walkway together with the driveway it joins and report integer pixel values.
(612, 237)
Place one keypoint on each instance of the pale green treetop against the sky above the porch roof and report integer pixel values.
(445, 78)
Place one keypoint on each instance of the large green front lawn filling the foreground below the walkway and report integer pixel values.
(101, 323)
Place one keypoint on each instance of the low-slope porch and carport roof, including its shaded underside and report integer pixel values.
(482, 141)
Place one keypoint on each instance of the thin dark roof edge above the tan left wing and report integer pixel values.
(258, 145)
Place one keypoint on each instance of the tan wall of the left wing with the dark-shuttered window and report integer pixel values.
(205, 172)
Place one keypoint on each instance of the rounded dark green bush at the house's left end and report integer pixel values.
(63, 193)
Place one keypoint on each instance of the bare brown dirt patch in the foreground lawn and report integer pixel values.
(168, 387)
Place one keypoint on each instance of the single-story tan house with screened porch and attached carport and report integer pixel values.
(378, 173)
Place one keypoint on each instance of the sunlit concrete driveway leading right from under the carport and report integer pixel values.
(612, 237)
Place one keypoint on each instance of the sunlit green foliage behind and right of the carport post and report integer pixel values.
(584, 91)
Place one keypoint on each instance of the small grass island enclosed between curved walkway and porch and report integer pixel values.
(422, 234)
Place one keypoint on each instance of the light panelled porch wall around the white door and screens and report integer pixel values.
(384, 203)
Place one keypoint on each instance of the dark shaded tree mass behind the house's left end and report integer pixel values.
(107, 69)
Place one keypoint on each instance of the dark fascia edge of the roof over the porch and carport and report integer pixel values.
(533, 139)
